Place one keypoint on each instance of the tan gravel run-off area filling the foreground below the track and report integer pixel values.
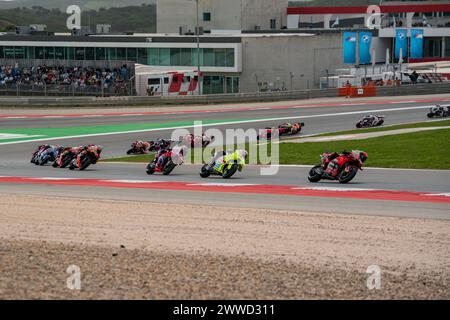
(143, 250)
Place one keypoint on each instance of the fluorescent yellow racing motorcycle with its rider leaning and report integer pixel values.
(226, 166)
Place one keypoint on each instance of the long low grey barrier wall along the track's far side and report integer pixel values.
(422, 89)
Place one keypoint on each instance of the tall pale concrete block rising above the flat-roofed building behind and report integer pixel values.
(225, 15)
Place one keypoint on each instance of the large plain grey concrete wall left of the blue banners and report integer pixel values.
(271, 59)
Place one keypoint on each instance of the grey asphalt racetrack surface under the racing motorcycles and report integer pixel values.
(14, 161)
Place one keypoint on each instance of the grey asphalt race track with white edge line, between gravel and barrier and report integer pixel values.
(14, 161)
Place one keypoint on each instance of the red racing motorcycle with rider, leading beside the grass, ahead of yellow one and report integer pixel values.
(347, 165)
